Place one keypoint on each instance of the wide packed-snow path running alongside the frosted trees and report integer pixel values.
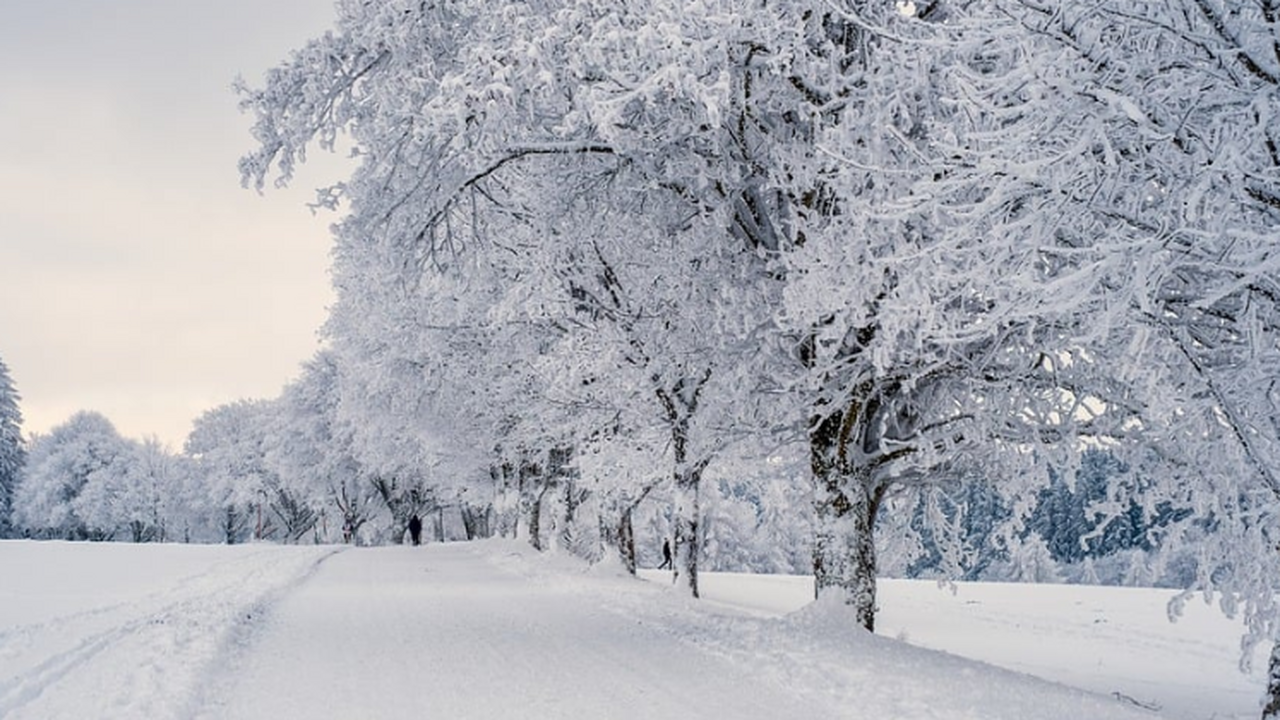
(440, 632)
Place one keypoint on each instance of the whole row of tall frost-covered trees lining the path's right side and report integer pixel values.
(924, 239)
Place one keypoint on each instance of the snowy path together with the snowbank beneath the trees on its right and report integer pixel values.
(495, 631)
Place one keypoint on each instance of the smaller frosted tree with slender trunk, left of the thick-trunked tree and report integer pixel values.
(661, 331)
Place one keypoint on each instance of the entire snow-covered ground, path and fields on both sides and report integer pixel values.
(488, 630)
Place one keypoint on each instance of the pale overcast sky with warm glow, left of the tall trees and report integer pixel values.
(138, 279)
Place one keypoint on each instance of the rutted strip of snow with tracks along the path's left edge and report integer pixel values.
(145, 659)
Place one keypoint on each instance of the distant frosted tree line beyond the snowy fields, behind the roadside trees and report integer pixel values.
(250, 472)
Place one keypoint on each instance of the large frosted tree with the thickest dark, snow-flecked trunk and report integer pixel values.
(936, 335)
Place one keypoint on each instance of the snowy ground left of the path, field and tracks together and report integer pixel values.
(113, 631)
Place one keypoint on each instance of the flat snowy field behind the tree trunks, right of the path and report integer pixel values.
(1107, 640)
